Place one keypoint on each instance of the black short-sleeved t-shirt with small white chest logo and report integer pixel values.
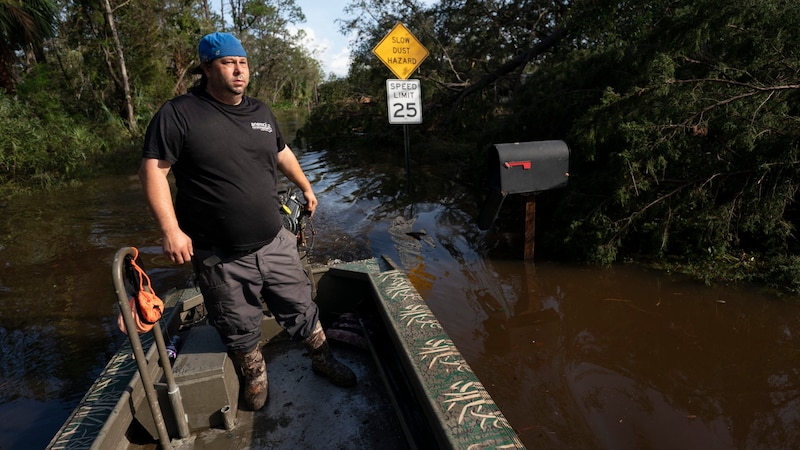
(224, 161)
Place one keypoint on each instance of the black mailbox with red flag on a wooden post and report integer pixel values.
(523, 167)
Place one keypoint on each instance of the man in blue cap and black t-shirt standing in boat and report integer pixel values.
(223, 148)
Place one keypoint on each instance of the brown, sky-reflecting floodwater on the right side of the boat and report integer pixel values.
(588, 358)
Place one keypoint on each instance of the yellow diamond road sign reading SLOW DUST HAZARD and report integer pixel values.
(400, 51)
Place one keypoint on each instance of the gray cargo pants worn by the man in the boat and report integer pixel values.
(233, 287)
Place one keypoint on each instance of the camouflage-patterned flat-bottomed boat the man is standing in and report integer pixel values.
(415, 388)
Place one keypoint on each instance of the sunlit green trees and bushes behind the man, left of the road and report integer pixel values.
(69, 119)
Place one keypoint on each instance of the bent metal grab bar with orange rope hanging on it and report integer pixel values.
(117, 274)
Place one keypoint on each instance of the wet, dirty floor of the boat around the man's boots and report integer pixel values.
(304, 409)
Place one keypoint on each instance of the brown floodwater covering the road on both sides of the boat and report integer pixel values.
(576, 357)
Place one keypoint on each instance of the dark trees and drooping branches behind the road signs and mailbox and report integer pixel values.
(681, 117)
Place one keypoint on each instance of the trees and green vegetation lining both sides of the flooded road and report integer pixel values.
(682, 117)
